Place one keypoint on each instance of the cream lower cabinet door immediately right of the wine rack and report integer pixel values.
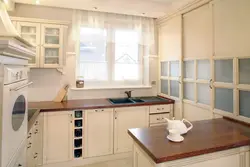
(98, 132)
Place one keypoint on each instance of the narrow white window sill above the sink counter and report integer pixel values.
(113, 87)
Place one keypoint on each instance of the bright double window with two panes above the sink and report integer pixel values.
(110, 62)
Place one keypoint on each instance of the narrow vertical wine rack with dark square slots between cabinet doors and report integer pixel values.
(78, 134)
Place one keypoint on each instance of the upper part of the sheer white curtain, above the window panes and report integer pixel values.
(144, 26)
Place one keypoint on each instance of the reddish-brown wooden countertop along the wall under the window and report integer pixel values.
(86, 104)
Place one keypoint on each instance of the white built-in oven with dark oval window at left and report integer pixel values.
(14, 110)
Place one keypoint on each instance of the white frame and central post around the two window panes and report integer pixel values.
(110, 57)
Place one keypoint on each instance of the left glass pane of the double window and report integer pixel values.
(93, 64)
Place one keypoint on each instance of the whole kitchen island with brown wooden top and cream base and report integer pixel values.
(218, 142)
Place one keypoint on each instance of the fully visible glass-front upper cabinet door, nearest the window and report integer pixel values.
(52, 42)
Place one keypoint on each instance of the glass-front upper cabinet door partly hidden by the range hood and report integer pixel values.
(31, 32)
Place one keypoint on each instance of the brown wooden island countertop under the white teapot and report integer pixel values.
(206, 137)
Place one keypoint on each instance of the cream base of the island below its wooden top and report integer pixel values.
(238, 157)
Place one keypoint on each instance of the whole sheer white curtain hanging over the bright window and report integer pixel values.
(116, 44)
